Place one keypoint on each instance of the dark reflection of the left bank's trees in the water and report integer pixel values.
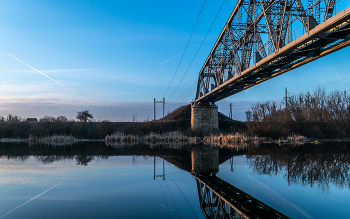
(85, 153)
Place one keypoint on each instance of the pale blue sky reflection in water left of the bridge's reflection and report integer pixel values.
(113, 188)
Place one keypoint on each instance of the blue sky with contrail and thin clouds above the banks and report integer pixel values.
(109, 55)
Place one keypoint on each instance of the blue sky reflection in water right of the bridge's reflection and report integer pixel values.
(295, 200)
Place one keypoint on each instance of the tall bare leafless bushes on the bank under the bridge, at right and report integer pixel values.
(319, 114)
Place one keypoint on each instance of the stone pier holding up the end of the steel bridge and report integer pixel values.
(204, 116)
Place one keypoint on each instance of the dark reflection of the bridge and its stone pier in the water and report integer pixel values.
(219, 199)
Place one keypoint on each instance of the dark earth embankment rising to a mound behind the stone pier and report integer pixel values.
(178, 120)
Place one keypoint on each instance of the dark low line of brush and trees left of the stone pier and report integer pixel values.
(84, 126)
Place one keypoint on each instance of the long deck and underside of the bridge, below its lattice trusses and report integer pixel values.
(328, 37)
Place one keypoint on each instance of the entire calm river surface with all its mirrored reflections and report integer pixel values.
(98, 181)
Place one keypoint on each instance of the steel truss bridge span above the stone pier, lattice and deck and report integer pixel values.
(265, 38)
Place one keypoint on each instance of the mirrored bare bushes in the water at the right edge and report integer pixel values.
(321, 165)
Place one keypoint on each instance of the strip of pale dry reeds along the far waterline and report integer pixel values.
(217, 140)
